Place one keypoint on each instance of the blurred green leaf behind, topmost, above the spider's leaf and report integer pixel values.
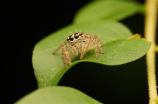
(107, 9)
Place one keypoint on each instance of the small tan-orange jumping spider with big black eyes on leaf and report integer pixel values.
(79, 43)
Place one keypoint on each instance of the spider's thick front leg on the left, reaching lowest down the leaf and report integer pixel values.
(65, 55)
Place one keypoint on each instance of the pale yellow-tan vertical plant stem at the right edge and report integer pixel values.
(150, 31)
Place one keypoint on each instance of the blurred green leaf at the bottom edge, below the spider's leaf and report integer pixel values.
(57, 95)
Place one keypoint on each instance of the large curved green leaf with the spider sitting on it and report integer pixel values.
(49, 68)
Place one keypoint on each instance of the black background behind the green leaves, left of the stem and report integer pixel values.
(23, 24)
